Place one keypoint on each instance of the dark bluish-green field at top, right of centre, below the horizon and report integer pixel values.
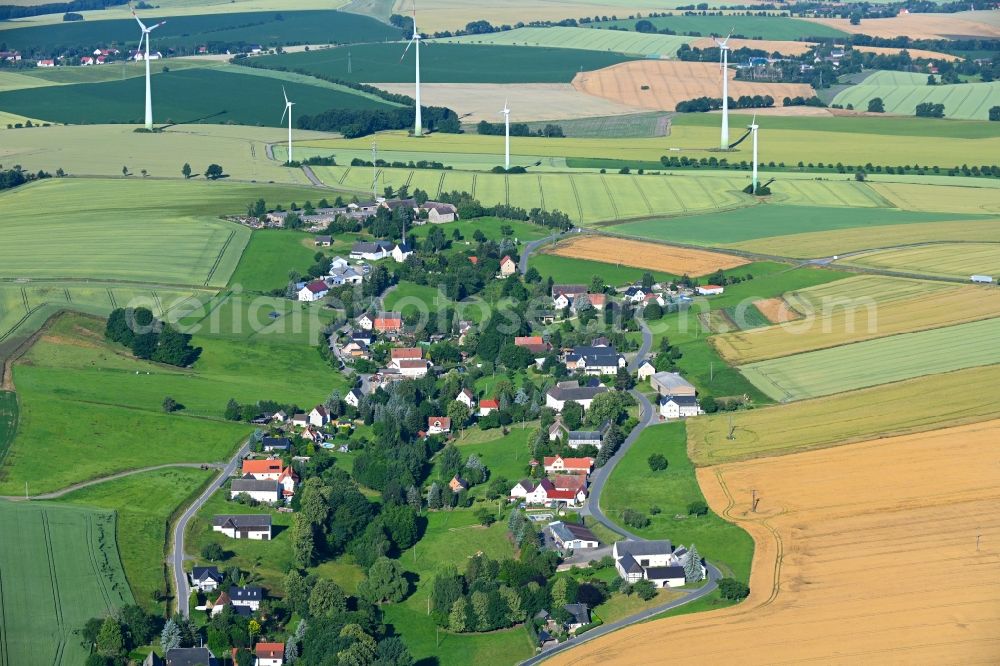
(750, 27)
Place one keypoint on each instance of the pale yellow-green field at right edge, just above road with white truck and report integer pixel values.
(951, 260)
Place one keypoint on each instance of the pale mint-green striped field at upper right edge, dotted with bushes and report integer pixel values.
(901, 92)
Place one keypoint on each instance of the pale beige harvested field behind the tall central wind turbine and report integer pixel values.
(528, 101)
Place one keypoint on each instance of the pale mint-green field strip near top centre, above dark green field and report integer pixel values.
(579, 38)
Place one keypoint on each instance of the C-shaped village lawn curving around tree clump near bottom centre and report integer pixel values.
(452, 537)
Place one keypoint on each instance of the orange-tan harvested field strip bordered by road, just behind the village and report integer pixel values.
(652, 256)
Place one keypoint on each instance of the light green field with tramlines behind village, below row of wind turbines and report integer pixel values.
(585, 197)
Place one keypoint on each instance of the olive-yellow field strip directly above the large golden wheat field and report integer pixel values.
(881, 411)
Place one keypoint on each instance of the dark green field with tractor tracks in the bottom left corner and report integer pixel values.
(60, 568)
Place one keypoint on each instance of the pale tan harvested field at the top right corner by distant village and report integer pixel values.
(920, 26)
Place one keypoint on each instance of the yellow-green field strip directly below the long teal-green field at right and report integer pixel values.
(841, 241)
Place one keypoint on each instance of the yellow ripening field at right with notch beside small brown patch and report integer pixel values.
(858, 308)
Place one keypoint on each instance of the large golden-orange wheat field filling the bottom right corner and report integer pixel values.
(865, 554)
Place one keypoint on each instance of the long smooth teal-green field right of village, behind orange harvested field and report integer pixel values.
(765, 221)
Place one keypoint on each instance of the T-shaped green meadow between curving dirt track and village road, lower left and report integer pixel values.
(144, 503)
